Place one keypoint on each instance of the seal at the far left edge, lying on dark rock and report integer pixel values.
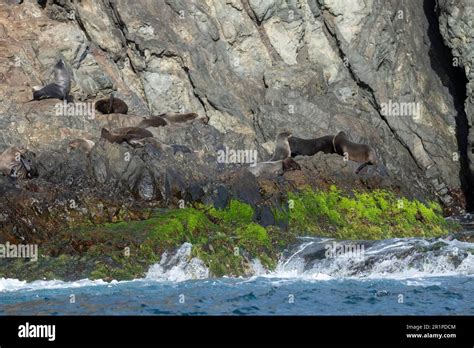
(14, 163)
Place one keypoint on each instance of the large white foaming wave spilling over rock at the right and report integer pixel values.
(394, 259)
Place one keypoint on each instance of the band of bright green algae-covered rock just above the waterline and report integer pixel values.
(227, 240)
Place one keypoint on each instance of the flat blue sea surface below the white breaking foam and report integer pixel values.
(449, 295)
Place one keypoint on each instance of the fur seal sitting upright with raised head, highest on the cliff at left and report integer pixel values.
(61, 86)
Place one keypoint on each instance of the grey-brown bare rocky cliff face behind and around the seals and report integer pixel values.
(378, 70)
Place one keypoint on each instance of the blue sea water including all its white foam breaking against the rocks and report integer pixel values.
(411, 276)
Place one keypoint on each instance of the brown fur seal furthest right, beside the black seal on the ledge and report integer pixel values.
(361, 153)
